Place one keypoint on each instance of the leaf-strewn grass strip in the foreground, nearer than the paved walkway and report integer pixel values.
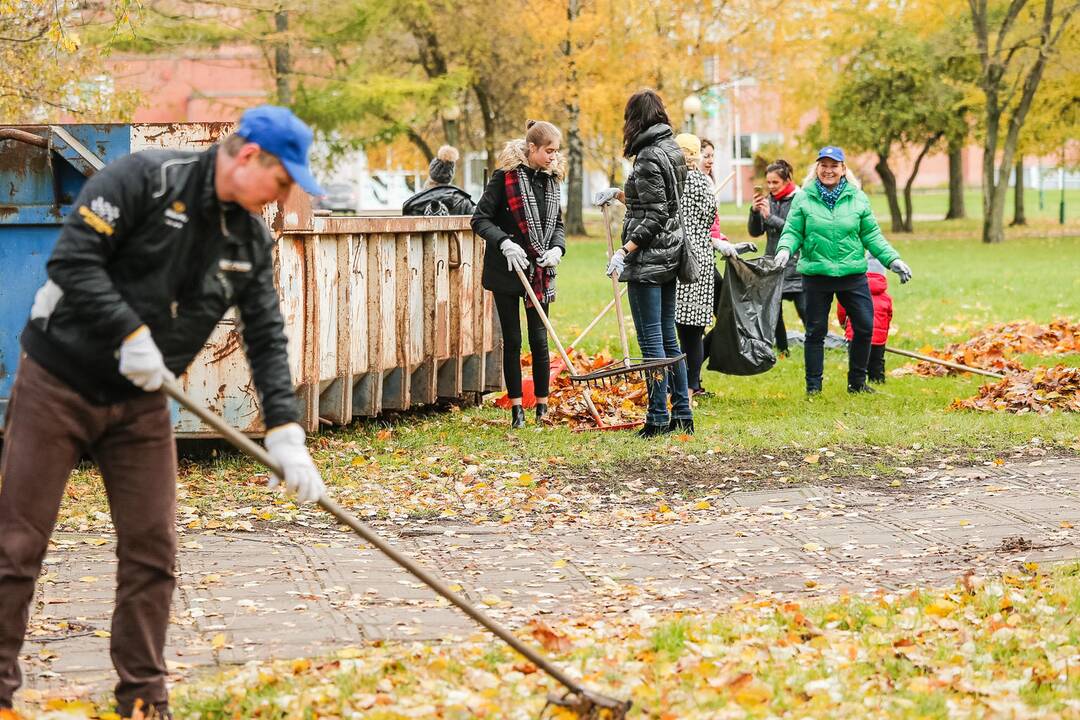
(1001, 647)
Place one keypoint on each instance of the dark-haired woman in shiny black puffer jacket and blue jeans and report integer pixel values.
(649, 260)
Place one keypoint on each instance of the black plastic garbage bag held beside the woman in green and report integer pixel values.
(741, 342)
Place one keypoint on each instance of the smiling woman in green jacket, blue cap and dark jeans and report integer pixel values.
(832, 226)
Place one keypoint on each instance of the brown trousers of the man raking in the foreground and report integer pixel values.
(48, 429)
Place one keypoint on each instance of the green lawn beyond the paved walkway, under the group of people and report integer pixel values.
(961, 286)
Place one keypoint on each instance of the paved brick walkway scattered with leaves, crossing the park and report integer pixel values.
(260, 596)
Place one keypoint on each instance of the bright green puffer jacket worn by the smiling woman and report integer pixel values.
(834, 242)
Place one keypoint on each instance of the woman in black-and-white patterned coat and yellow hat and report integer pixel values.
(694, 304)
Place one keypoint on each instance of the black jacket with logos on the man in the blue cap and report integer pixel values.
(150, 243)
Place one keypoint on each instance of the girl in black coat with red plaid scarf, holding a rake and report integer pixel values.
(520, 219)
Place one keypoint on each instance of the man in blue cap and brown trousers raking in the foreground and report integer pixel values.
(161, 244)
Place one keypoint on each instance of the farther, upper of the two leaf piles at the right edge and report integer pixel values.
(996, 347)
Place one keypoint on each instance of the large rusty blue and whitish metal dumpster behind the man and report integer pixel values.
(382, 314)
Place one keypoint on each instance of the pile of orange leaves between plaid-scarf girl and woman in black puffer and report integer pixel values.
(624, 401)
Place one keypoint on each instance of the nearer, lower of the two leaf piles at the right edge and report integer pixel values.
(1043, 390)
